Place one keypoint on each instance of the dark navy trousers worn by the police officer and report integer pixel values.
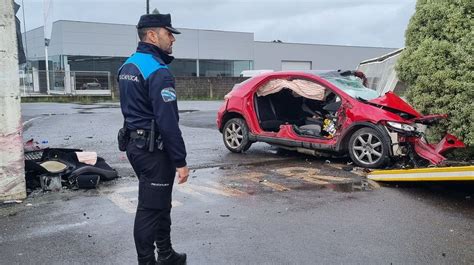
(156, 174)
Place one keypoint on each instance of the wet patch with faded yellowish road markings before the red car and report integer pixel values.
(274, 177)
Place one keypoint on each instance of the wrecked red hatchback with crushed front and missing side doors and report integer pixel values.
(328, 113)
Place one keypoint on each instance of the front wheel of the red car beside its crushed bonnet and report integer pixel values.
(367, 148)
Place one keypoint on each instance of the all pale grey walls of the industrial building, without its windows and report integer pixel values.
(73, 38)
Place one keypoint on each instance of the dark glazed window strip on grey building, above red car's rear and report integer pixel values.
(213, 68)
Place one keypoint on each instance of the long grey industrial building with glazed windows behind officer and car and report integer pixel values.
(84, 56)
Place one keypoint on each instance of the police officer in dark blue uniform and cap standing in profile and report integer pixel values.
(155, 148)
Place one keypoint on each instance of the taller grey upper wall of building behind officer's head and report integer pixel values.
(103, 39)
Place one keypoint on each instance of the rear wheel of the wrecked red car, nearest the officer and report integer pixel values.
(236, 135)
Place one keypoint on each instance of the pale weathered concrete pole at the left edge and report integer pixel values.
(12, 171)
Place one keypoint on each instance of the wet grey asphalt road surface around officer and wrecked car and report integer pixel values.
(261, 207)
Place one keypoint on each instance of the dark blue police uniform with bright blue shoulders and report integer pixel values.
(147, 92)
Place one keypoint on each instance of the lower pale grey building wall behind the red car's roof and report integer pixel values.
(269, 55)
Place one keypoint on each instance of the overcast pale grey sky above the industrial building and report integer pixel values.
(379, 23)
